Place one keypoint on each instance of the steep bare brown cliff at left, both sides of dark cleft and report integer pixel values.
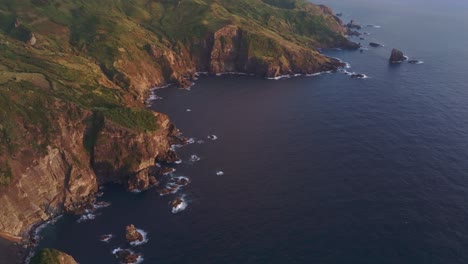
(65, 177)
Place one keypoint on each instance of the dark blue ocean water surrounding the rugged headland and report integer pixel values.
(323, 169)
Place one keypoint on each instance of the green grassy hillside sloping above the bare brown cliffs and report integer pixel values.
(56, 55)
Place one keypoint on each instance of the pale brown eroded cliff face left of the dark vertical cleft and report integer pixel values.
(47, 184)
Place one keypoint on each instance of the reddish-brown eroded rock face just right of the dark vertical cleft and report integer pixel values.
(121, 152)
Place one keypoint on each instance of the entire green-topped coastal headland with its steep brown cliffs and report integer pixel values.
(74, 74)
